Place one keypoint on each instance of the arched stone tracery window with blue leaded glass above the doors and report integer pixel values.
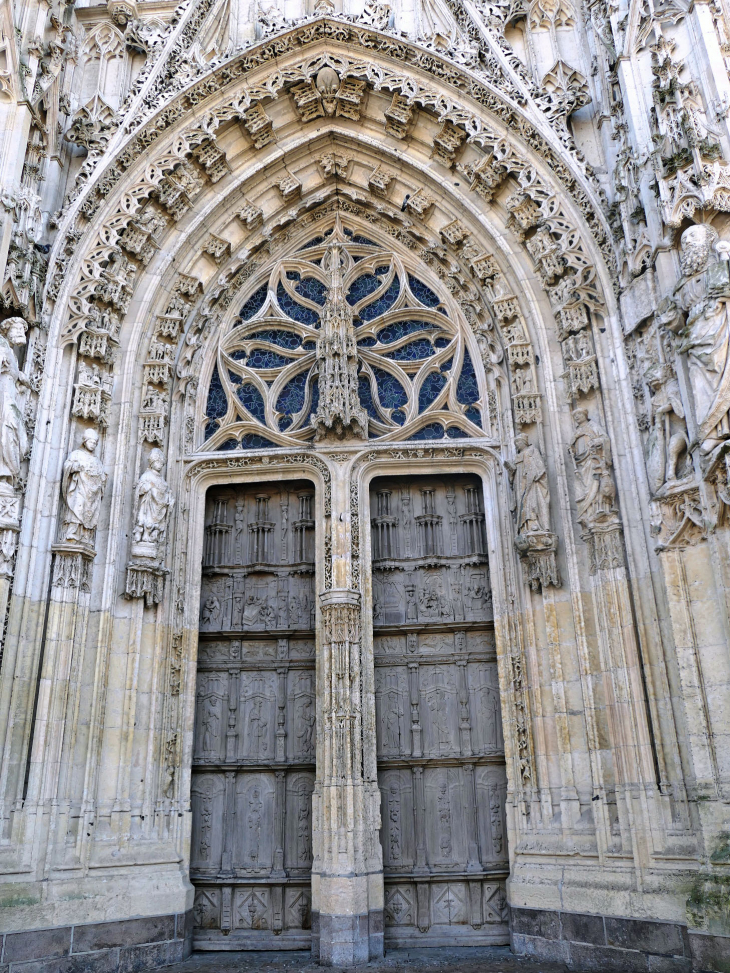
(415, 375)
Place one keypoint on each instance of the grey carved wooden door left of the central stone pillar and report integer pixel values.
(253, 758)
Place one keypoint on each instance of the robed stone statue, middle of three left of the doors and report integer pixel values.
(82, 486)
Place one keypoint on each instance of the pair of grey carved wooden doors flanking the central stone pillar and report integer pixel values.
(440, 749)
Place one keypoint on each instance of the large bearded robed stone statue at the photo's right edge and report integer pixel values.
(703, 293)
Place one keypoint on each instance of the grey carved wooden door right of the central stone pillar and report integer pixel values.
(441, 763)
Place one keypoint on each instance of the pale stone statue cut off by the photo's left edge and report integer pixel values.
(13, 434)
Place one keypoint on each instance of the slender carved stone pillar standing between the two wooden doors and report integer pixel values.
(347, 879)
